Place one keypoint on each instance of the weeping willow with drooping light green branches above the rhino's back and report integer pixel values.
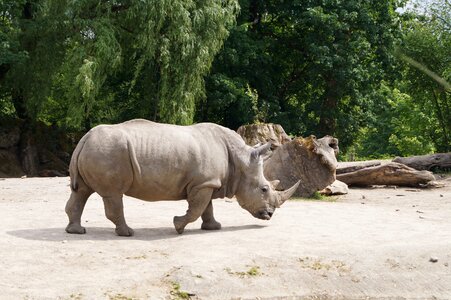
(83, 58)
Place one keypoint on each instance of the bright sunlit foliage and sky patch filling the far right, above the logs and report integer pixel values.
(413, 114)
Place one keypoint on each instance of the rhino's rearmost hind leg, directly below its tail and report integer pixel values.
(74, 209)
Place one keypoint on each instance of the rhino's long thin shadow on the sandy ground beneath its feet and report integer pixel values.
(106, 233)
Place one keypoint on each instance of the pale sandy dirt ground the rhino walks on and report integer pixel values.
(371, 243)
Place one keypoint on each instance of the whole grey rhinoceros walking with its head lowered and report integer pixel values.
(153, 161)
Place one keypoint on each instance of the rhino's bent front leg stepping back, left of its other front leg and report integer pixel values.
(198, 201)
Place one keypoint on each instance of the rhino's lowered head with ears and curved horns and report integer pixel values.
(256, 194)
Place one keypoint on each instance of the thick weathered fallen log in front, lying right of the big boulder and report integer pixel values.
(388, 174)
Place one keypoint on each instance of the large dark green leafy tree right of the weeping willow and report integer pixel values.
(312, 63)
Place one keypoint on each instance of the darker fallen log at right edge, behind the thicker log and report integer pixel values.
(427, 162)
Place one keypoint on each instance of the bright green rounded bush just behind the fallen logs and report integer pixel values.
(397, 126)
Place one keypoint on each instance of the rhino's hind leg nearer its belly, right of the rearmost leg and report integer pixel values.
(114, 211)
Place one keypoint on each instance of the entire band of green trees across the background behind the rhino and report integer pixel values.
(373, 75)
